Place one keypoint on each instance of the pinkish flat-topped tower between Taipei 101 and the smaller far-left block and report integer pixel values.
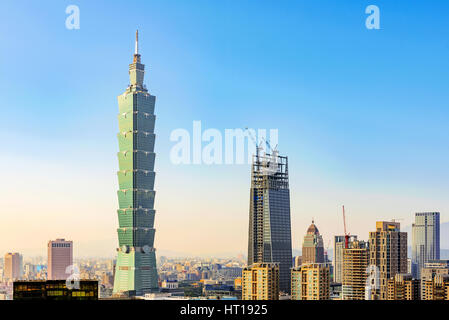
(60, 256)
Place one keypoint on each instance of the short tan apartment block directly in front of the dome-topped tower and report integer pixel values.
(311, 282)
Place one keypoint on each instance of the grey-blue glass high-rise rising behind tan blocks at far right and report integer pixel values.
(425, 240)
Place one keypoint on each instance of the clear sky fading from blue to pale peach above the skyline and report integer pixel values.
(362, 114)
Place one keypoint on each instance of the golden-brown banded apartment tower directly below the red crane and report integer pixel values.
(354, 273)
